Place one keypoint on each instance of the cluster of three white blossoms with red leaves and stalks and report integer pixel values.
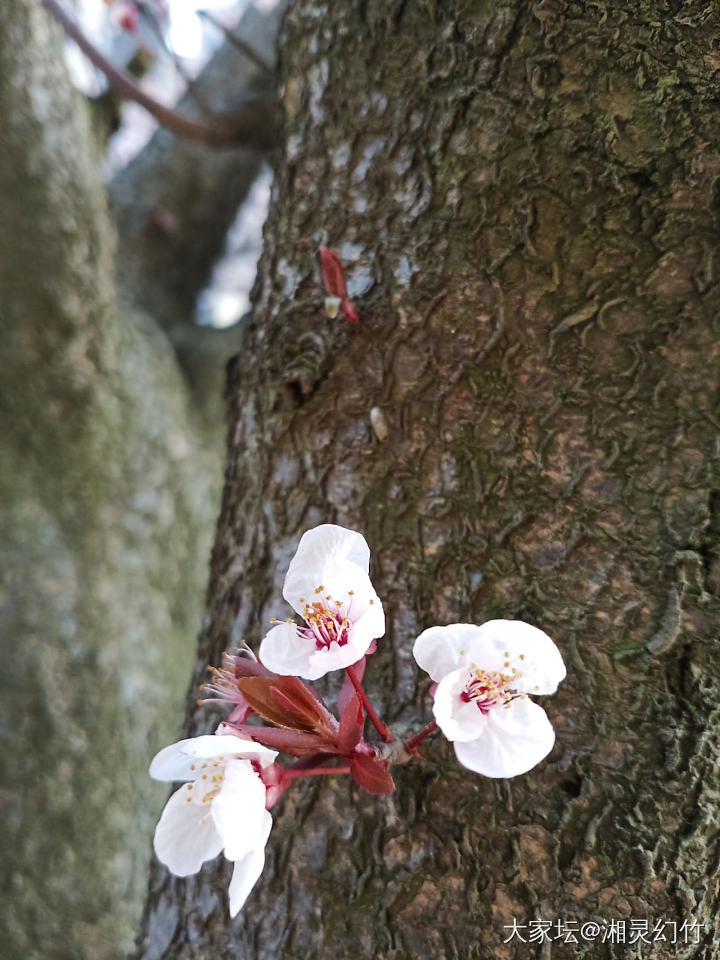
(483, 677)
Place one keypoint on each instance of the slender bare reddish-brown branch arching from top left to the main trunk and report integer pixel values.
(250, 126)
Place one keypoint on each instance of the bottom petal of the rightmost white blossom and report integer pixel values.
(515, 738)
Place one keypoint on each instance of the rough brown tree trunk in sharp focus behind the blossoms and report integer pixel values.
(526, 195)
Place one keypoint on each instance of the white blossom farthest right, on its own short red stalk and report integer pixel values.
(484, 675)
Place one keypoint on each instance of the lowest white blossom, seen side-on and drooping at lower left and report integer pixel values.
(220, 809)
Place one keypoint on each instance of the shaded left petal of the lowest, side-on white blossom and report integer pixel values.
(186, 835)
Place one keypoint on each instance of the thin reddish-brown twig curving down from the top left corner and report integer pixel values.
(217, 132)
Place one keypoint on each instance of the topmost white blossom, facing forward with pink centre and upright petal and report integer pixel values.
(328, 585)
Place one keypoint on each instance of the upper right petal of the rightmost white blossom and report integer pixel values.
(522, 646)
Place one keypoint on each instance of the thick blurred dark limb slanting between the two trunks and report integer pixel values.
(173, 204)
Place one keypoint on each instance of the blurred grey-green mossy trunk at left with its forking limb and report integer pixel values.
(110, 473)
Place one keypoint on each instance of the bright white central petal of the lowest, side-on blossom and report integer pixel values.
(239, 809)
